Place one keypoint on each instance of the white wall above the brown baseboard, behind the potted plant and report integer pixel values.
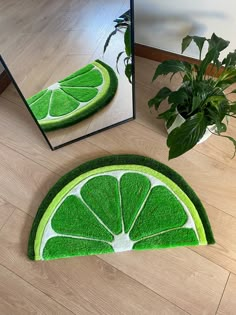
(163, 24)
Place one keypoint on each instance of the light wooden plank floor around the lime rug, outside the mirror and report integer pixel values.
(177, 281)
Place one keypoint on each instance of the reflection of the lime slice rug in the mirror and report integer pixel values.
(76, 97)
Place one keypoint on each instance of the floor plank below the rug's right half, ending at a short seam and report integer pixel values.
(180, 275)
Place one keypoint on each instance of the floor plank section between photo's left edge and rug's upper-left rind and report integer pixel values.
(24, 183)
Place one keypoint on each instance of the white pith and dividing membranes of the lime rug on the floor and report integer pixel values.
(122, 241)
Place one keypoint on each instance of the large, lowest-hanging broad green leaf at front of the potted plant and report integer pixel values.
(185, 137)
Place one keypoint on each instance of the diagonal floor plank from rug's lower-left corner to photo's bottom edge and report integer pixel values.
(85, 285)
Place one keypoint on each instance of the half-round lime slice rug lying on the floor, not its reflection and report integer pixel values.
(115, 204)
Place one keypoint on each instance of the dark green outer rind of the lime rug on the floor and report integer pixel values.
(119, 160)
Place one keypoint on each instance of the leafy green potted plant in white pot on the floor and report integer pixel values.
(199, 107)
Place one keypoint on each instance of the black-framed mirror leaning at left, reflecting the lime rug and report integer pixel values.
(72, 64)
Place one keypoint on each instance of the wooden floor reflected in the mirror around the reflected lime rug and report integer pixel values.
(48, 40)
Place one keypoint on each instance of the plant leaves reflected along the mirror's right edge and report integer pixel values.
(123, 23)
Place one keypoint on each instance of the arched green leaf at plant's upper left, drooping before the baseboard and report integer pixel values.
(172, 66)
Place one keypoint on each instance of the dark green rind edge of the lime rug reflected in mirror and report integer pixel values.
(89, 110)
